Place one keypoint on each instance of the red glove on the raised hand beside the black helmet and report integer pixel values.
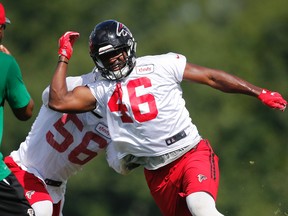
(66, 44)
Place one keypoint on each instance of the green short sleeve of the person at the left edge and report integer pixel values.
(17, 94)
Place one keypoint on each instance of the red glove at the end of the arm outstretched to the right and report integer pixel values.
(272, 99)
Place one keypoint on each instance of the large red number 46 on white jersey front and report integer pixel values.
(115, 103)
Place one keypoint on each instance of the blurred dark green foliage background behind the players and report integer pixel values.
(248, 38)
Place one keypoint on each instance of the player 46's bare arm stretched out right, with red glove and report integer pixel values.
(232, 84)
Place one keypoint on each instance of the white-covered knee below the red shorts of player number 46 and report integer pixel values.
(202, 204)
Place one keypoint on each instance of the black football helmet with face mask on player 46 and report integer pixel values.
(110, 39)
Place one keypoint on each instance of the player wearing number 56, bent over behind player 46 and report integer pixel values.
(57, 146)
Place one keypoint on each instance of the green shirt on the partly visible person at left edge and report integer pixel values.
(12, 90)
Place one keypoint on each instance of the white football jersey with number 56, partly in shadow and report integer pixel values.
(58, 144)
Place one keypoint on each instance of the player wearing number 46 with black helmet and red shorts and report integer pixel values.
(146, 115)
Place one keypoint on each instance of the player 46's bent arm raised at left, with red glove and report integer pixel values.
(79, 99)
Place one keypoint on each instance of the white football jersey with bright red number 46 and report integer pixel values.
(146, 112)
